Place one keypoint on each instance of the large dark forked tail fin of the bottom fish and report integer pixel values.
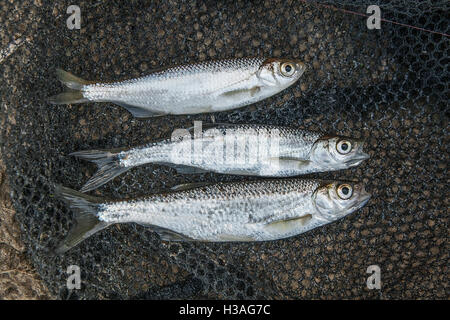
(87, 223)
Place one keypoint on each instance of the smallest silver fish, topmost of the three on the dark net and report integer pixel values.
(204, 87)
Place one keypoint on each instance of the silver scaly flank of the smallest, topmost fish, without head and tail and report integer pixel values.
(187, 83)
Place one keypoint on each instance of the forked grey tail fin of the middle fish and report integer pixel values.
(108, 165)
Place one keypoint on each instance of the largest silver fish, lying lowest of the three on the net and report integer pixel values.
(261, 210)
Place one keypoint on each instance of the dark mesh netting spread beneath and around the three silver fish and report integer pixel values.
(389, 86)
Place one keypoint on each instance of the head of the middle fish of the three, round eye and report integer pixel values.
(338, 152)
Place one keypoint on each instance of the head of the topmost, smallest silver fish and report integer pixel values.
(280, 72)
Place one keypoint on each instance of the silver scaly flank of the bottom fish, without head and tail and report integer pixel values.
(211, 212)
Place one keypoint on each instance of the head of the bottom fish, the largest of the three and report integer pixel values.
(334, 200)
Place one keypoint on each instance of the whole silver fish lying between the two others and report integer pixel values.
(239, 149)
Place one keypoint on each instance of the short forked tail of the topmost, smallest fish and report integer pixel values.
(75, 85)
